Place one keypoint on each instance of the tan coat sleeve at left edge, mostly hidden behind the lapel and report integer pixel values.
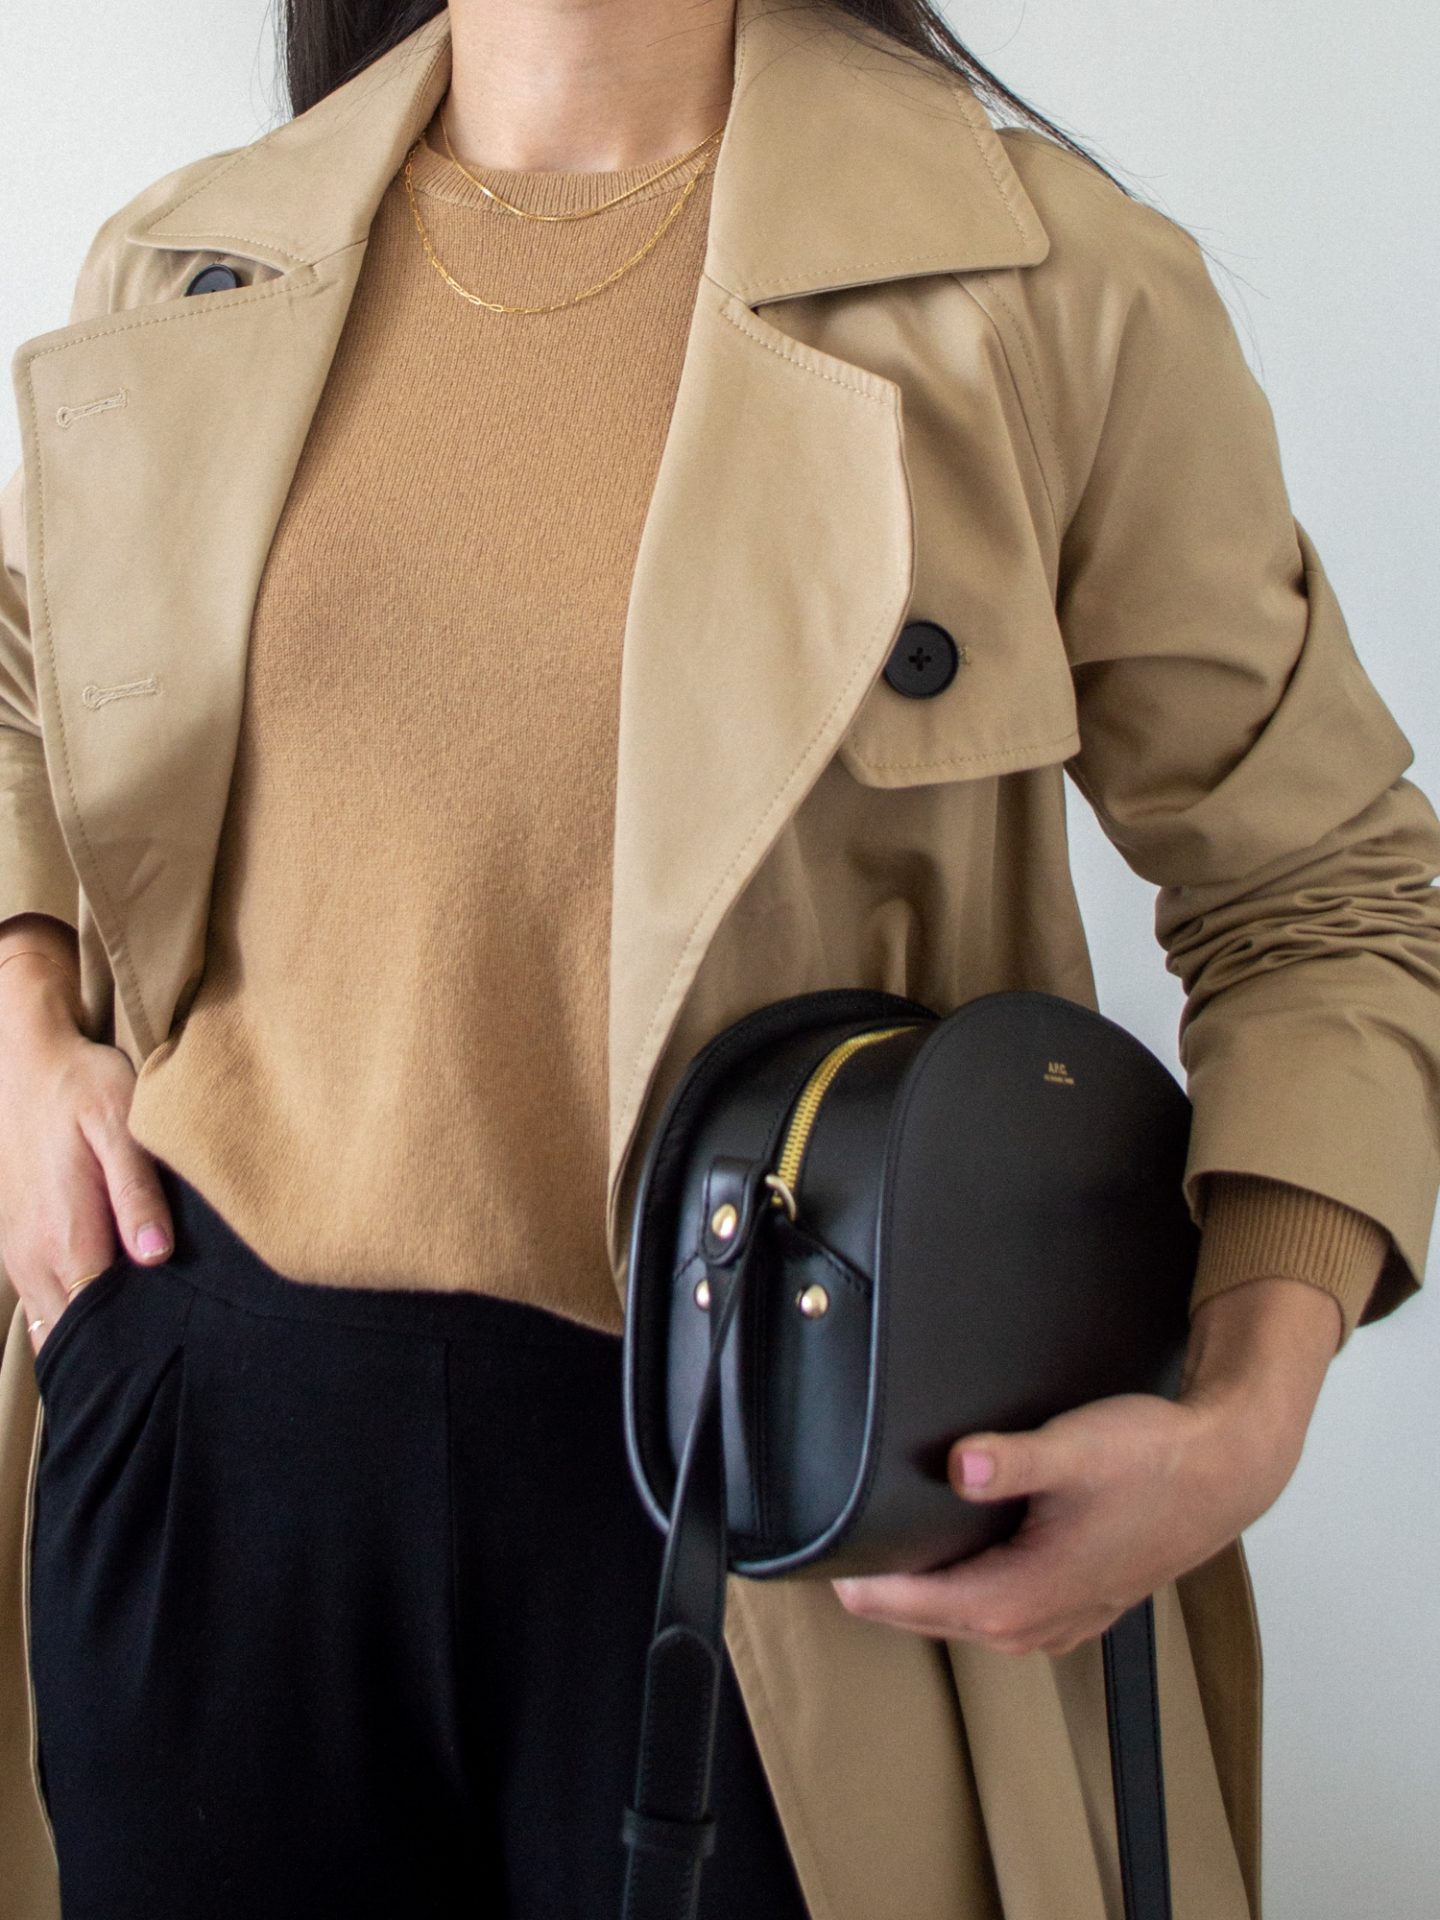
(36, 869)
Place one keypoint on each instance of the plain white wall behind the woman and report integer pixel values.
(1299, 145)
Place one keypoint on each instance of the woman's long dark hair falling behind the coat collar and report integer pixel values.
(325, 43)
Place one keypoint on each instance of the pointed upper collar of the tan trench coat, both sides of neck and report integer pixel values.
(819, 181)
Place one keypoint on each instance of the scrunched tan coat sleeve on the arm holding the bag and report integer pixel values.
(1241, 759)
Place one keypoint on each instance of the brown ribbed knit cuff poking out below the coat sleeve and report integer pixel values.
(1257, 1230)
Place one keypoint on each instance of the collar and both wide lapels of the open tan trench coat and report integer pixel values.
(775, 562)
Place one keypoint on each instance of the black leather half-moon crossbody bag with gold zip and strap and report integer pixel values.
(863, 1232)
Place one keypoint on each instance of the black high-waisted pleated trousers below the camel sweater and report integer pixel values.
(341, 1604)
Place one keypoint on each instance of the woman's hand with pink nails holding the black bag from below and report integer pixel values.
(1128, 1493)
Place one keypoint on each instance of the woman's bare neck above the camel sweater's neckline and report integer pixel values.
(587, 84)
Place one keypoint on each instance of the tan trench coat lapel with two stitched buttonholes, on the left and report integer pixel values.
(149, 521)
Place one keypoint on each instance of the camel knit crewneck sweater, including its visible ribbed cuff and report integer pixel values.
(393, 1072)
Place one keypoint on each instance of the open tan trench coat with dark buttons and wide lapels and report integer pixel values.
(934, 372)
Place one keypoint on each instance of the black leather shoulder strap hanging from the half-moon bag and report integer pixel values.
(669, 1831)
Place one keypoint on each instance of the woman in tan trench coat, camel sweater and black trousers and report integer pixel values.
(462, 648)
